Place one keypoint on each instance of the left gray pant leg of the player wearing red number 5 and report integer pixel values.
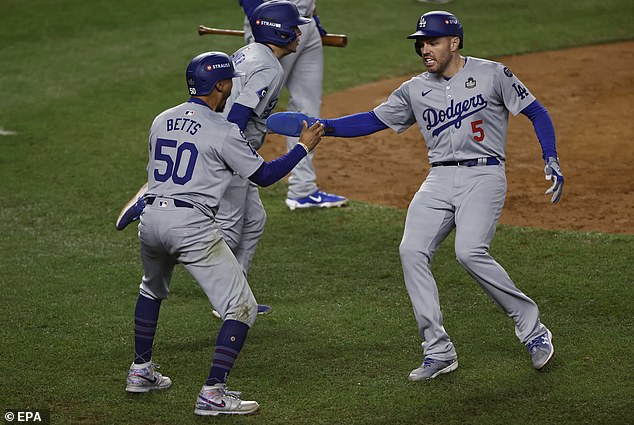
(429, 221)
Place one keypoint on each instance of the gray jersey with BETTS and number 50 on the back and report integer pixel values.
(193, 153)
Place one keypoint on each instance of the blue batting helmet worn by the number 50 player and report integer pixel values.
(206, 69)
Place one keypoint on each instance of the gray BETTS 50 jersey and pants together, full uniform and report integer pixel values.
(193, 153)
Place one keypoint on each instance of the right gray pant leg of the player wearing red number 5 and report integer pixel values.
(483, 190)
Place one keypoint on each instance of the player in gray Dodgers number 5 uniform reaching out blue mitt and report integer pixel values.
(461, 106)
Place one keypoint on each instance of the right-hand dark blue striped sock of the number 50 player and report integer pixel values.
(229, 342)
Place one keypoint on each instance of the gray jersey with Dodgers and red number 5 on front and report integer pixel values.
(464, 118)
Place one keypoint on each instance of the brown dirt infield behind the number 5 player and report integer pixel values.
(589, 92)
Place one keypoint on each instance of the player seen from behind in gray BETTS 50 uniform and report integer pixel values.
(193, 153)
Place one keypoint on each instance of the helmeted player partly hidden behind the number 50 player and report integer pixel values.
(241, 215)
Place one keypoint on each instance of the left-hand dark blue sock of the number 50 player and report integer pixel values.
(145, 321)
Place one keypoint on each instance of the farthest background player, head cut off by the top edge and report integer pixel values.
(304, 73)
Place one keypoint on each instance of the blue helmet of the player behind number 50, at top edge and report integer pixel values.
(274, 21)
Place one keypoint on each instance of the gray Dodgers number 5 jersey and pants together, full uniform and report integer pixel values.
(462, 118)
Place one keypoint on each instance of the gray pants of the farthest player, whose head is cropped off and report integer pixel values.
(304, 71)
